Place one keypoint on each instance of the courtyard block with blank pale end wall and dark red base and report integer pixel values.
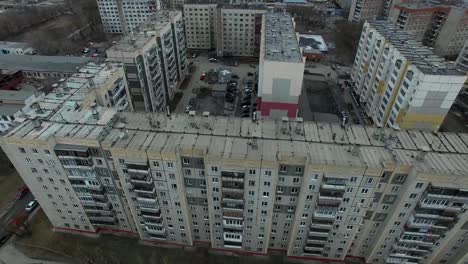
(281, 67)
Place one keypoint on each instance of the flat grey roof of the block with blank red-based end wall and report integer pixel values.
(280, 38)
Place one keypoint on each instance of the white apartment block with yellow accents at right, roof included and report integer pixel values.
(401, 83)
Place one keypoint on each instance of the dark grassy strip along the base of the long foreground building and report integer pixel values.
(113, 249)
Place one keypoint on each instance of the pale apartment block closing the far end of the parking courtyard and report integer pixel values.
(231, 30)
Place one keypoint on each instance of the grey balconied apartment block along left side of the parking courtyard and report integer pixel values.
(154, 60)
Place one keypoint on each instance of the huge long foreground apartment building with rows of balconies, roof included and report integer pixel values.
(308, 190)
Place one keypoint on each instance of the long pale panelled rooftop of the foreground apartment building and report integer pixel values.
(237, 138)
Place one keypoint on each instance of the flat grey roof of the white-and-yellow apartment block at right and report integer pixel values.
(420, 56)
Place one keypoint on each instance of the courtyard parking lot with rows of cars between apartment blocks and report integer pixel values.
(210, 90)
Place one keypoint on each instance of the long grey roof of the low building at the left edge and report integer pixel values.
(38, 63)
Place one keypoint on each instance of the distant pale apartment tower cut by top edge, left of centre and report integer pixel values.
(123, 16)
